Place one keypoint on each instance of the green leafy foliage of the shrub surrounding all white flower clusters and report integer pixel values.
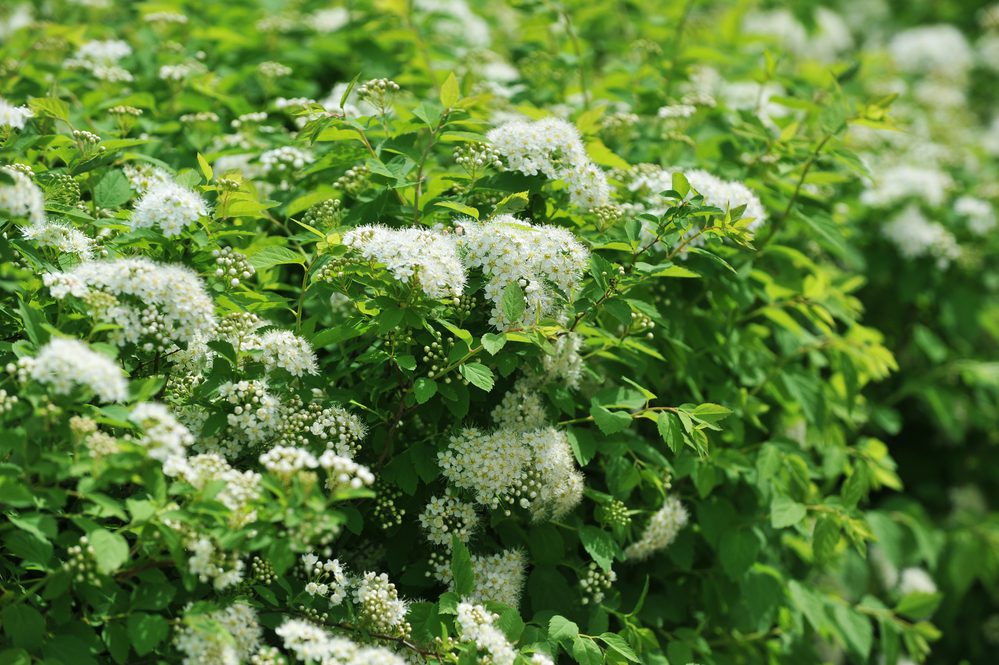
(823, 406)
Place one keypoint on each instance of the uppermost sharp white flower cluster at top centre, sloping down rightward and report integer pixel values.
(553, 147)
